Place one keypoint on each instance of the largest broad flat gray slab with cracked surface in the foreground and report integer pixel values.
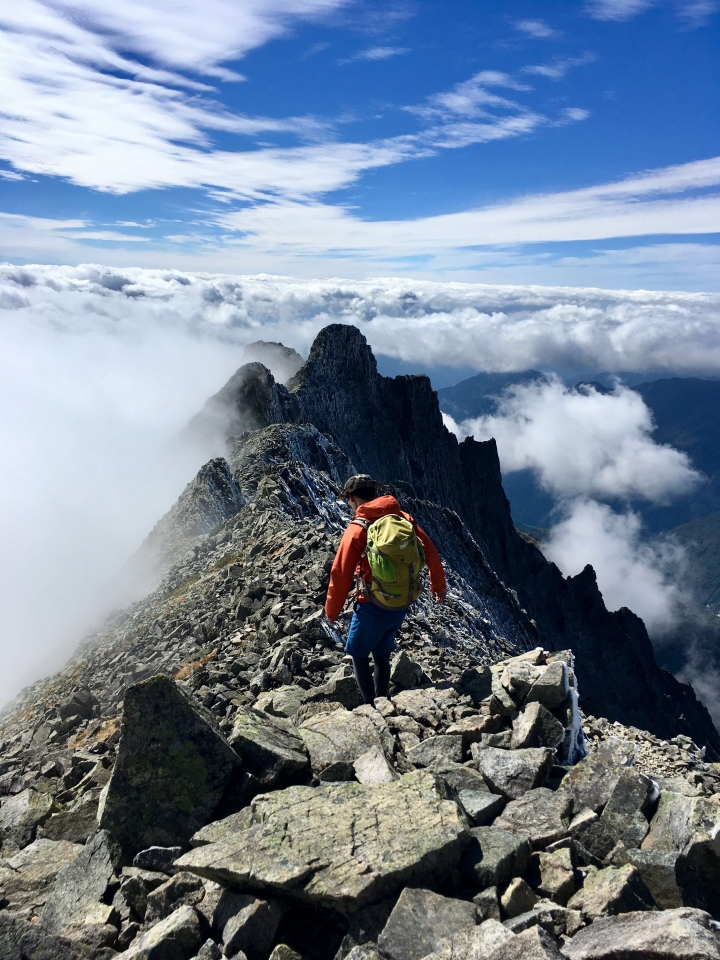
(340, 846)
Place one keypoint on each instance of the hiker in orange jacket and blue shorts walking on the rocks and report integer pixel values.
(382, 593)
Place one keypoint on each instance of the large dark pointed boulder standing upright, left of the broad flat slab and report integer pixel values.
(171, 770)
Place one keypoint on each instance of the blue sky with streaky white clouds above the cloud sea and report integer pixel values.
(560, 142)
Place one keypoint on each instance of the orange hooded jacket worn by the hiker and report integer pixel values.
(349, 559)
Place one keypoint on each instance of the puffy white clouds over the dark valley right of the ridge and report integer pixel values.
(587, 447)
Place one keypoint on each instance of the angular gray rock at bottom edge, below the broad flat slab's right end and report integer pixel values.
(419, 922)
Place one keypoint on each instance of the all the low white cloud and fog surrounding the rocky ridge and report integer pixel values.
(102, 367)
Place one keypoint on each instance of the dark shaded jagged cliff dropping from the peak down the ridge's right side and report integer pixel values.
(393, 429)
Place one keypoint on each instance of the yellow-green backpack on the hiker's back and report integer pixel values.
(396, 559)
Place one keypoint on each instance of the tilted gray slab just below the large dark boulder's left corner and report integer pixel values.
(75, 897)
